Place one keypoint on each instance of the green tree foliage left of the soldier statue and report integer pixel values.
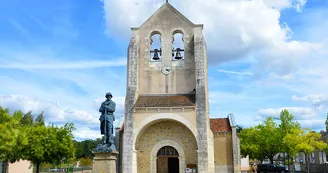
(22, 137)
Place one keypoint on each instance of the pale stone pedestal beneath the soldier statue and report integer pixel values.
(104, 162)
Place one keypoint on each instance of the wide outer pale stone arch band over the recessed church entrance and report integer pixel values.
(163, 116)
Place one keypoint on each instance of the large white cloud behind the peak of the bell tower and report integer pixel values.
(240, 28)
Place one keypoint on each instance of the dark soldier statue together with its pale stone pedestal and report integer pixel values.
(105, 153)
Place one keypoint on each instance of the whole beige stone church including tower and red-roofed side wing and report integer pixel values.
(167, 128)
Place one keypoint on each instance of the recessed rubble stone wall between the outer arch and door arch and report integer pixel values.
(161, 131)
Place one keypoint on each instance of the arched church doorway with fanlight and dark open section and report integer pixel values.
(167, 160)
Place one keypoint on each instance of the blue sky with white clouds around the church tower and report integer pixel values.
(62, 56)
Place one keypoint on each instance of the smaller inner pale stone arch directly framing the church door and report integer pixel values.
(159, 145)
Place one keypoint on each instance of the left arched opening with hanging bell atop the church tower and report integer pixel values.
(155, 46)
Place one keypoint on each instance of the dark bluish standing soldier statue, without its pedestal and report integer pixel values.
(107, 118)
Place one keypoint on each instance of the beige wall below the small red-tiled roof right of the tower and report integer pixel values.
(223, 154)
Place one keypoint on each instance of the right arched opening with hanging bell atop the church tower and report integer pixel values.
(178, 46)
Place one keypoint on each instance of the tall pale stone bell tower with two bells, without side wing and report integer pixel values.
(167, 80)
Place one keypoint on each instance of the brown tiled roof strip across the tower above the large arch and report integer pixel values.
(166, 100)
